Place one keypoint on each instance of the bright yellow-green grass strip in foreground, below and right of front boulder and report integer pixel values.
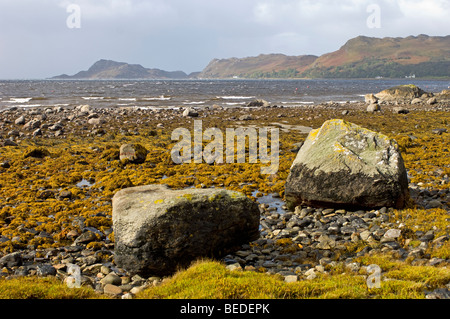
(211, 280)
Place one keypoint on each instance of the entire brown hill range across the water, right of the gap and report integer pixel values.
(361, 57)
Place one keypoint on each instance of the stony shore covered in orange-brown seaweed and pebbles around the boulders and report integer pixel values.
(74, 199)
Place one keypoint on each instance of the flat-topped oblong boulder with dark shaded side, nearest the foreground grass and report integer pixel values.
(158, 230)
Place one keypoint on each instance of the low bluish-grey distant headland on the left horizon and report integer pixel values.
(107, 69)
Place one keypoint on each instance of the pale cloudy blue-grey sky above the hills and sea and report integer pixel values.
(44, 38)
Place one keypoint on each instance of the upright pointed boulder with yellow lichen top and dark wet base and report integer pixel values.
(344, 165)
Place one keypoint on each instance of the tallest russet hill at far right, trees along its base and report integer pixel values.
(422, 56)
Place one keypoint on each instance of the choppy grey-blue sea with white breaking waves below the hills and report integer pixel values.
(151, 94)
